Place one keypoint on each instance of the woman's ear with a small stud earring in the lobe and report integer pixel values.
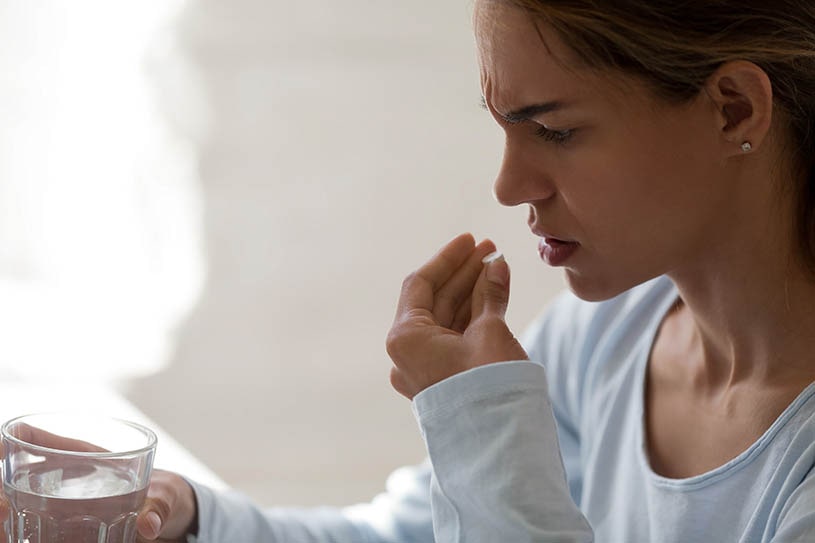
(743, 97)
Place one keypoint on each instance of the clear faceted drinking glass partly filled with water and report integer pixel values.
(71, 478)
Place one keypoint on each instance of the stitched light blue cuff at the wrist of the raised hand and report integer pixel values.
(475, 384)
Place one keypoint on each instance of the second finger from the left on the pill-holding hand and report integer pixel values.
(451, 297)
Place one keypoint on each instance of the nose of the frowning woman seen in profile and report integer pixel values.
(520, 179)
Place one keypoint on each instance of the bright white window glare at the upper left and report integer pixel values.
(100, 252)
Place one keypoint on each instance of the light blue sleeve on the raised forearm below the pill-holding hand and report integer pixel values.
(497, 470)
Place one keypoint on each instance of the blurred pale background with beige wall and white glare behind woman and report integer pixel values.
(210, 206)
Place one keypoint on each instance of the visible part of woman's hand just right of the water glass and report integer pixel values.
(170, 511)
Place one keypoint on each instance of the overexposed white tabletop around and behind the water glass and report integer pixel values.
(20, 398)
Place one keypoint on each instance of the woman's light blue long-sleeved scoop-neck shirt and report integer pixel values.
(501, 469)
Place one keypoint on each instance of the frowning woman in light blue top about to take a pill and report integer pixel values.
(664, 150)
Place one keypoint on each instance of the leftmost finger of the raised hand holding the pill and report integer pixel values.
(419, 289)
